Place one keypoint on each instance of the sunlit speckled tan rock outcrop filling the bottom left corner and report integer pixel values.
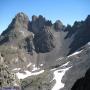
(7, 77)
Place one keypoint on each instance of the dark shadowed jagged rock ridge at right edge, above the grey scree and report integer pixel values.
(80, 32)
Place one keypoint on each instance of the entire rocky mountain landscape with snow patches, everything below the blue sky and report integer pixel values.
(40, 55)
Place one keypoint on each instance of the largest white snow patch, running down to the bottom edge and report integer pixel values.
(58, 74)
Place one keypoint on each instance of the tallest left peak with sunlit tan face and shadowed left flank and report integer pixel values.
(17, 29)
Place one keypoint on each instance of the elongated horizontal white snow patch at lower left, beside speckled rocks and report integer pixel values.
(27, 73)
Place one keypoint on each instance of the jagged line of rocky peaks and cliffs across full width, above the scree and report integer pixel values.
(38, 34)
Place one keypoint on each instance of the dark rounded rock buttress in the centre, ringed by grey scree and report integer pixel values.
(44, 40)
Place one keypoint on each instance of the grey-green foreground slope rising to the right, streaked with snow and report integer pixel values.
(62, 76)
